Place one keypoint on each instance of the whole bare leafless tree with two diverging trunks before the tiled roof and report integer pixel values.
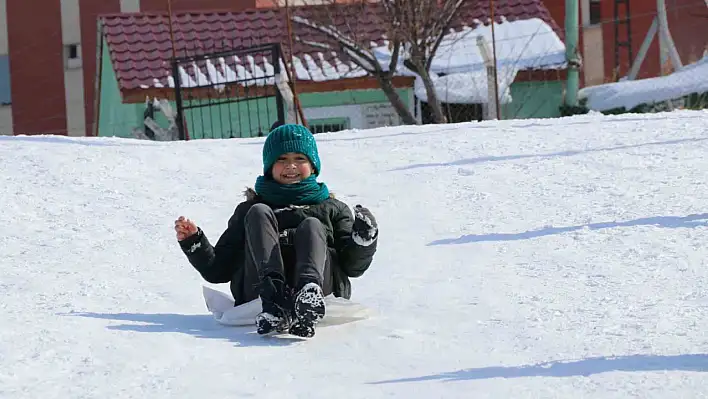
(414, 30)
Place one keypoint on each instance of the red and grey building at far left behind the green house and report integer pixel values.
(48, 59)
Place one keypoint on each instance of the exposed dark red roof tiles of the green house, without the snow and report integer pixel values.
(140, 47)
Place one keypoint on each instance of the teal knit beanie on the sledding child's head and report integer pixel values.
(290, 138)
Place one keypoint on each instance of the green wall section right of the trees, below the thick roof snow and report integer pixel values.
(534, 100)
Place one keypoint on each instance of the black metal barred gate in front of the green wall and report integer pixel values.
(236, 97)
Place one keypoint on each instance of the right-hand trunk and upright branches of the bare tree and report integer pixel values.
(421, 25)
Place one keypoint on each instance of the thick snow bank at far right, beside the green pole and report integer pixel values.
(692, 78)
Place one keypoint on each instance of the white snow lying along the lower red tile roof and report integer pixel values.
(522, 44)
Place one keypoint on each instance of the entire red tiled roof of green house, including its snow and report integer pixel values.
(140, 49)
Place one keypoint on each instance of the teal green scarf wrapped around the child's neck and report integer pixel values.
(306, 192)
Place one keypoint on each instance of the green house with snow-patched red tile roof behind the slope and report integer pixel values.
(215, 73)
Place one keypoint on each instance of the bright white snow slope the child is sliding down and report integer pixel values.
(527, 258)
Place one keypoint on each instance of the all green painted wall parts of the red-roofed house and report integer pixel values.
(248, 118)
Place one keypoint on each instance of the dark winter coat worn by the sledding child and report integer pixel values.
(225, 261)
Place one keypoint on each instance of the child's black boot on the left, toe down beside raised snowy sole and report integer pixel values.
(276, 297)
